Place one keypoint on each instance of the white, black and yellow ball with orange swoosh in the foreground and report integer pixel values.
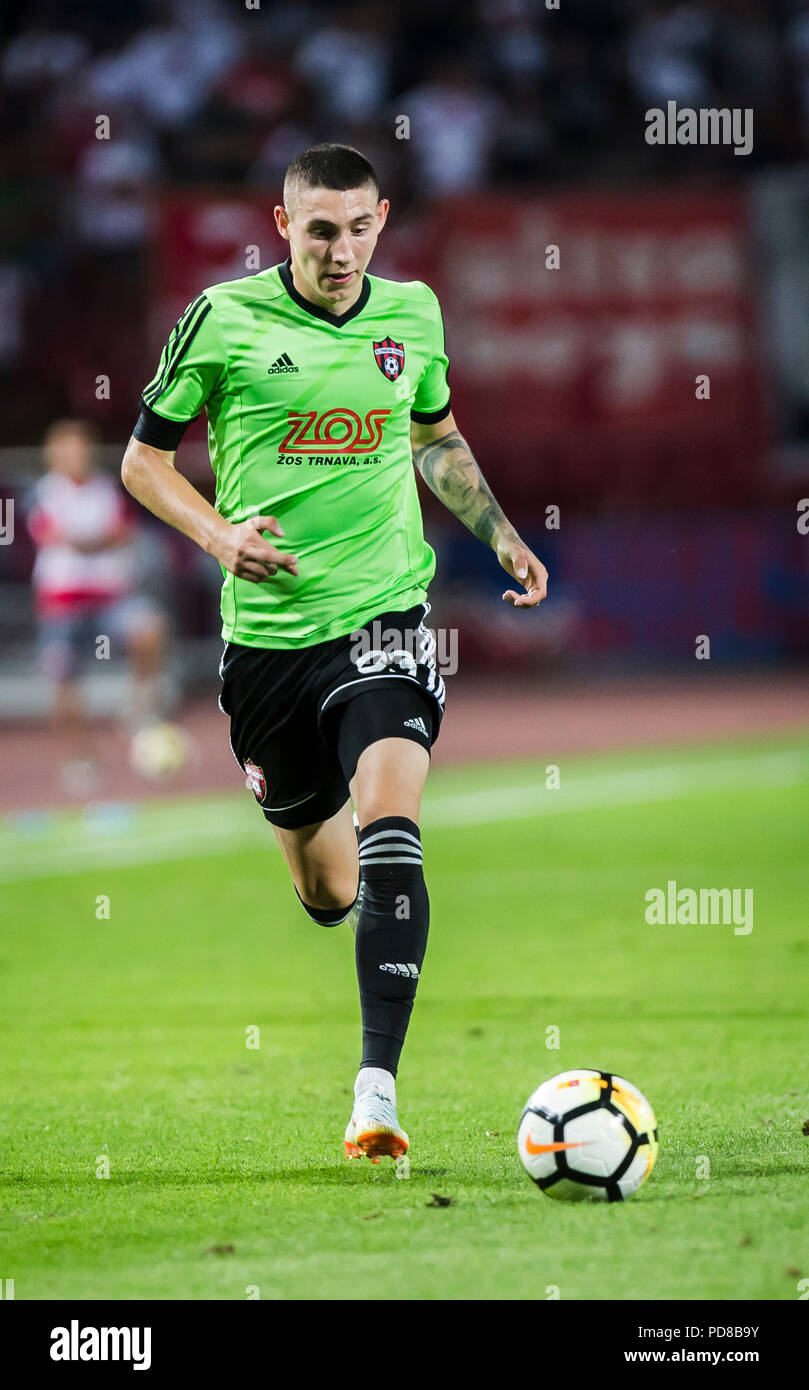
(589, 1135)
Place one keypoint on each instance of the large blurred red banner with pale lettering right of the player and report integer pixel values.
(582, 382)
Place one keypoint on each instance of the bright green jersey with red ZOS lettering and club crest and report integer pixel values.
(309, 420)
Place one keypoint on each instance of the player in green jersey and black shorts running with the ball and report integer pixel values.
(322, 387)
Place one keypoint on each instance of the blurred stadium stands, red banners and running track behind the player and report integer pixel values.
(576, 387)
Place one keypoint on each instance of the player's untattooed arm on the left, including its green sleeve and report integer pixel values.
(191, 372)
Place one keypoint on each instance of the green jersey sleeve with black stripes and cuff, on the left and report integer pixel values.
(191, 369)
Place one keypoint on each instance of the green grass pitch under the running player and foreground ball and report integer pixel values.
(126, 1042)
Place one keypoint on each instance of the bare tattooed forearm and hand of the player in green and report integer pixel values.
(448, 468)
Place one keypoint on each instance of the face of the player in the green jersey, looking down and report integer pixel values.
(333, 236)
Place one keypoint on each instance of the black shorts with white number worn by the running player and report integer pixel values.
(301, 718)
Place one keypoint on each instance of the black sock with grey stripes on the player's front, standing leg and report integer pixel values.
(391, 936)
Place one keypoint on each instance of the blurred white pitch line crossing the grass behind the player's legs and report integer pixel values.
(208, 831)
